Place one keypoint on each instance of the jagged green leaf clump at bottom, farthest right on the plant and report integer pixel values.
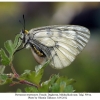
(61, 84)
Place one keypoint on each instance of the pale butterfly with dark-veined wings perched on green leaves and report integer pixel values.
(58, 43)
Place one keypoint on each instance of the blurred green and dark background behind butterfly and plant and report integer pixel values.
(86, 67)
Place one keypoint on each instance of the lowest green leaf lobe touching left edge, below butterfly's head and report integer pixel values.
(4, 58)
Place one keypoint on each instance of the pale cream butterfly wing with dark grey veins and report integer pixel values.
(64, 42)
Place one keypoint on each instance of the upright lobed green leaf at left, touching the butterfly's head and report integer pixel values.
(11, 48)
